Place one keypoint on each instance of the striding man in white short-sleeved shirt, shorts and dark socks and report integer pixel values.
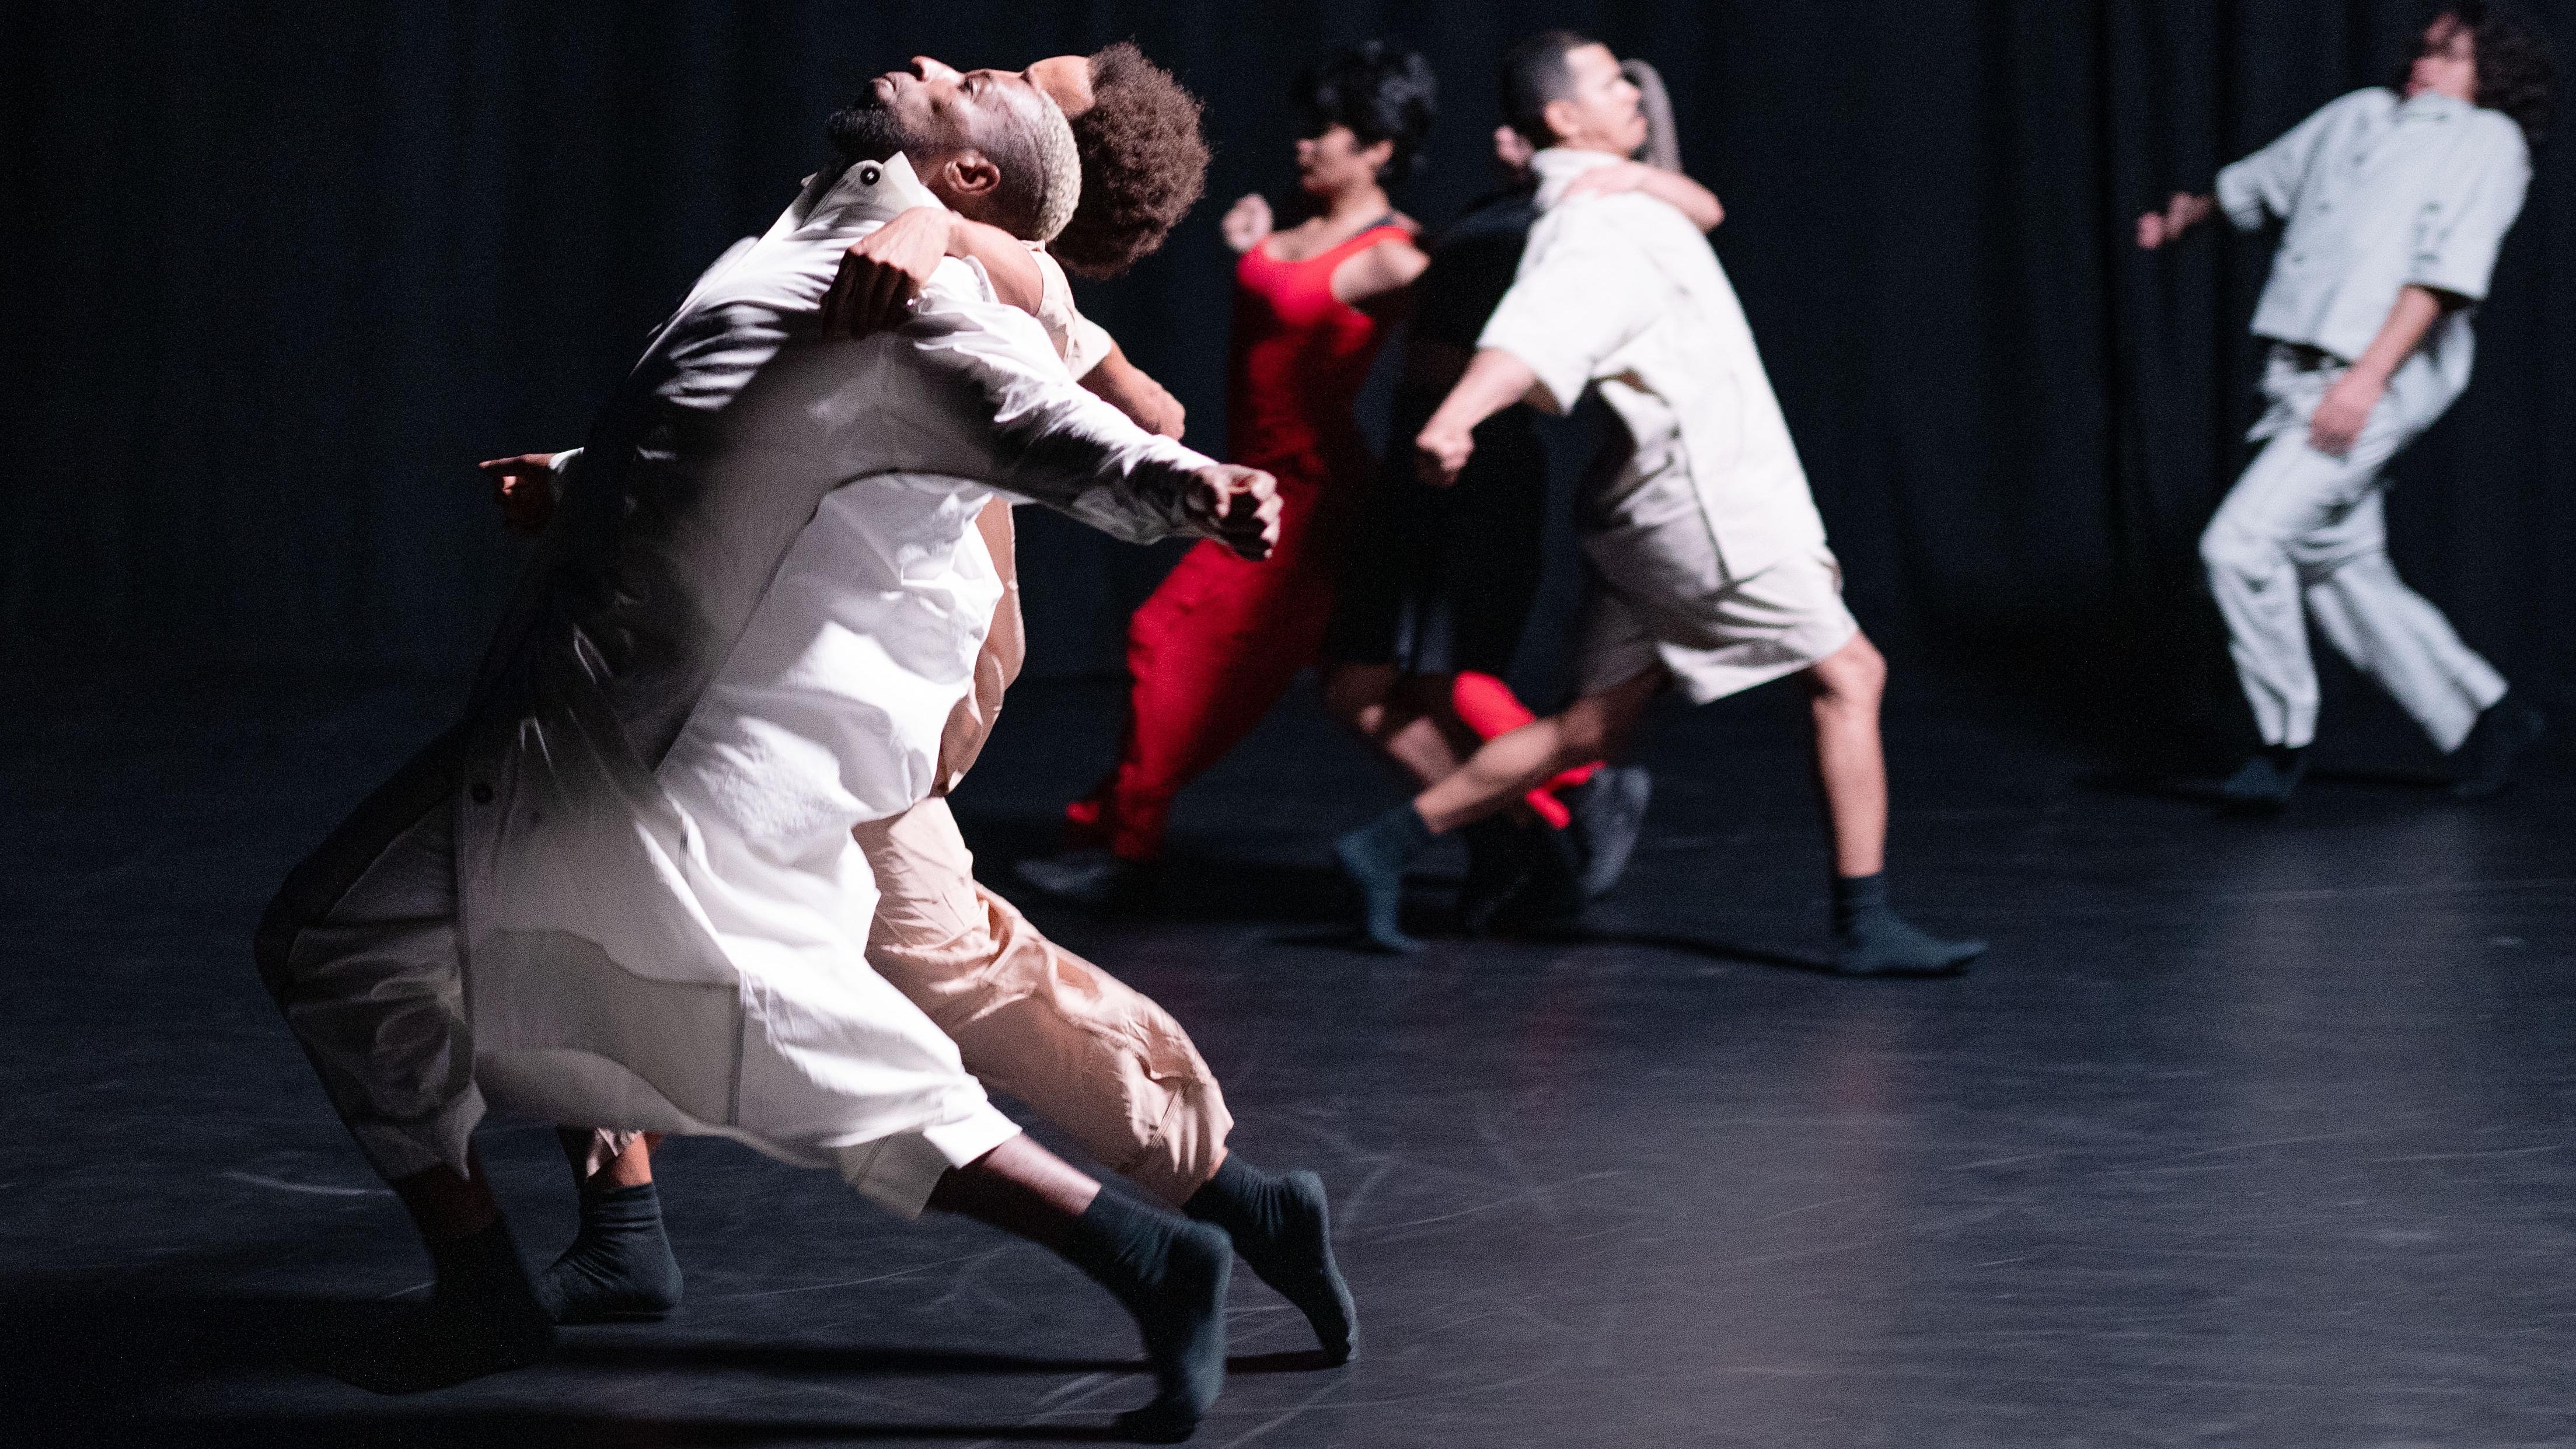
(1709, 565)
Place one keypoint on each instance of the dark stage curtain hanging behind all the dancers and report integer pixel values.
(279, 274)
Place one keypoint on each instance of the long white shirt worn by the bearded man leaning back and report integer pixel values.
(753, 614)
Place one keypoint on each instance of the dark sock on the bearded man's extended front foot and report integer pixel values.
(1173, 1278)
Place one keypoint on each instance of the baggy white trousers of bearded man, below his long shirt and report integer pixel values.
(362, 951)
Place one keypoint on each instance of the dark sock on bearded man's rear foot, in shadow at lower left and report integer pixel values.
(480, 1319)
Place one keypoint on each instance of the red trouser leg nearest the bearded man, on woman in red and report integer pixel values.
(1209, 655)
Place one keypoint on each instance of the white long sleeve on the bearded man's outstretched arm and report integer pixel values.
(1055, 441)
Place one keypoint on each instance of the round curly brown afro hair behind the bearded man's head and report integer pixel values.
(1145, 163)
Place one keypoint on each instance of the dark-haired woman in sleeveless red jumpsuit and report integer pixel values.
(1220, 642)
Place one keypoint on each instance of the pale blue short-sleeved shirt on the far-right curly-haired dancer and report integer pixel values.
(2382, 194)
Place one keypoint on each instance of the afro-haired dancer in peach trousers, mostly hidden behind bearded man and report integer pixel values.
(1029, 1018)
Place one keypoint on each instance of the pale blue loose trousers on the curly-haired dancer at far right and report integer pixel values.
(2304, 537)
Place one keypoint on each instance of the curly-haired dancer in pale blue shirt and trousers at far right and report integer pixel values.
(2394, 205)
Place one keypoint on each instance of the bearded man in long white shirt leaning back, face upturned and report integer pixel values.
(764, 601)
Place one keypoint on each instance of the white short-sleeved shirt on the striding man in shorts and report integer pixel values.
(1622, 292)
